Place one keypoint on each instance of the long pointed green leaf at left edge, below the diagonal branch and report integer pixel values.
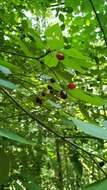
(10, 135)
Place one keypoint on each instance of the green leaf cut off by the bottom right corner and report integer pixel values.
(99, 185)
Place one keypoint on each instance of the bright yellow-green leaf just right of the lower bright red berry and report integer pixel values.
(86, 97)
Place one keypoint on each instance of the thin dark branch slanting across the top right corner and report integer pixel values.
(99, 22)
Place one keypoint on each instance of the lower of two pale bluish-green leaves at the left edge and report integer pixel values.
(7, 84)
